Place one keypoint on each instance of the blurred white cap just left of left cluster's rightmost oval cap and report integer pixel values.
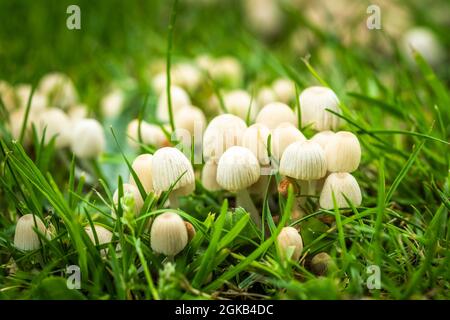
(55, 123)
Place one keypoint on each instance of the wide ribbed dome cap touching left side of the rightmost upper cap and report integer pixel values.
(303, 160)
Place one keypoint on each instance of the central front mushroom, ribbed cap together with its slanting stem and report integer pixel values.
(237, 170)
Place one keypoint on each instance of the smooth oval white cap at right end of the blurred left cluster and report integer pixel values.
(88, 139)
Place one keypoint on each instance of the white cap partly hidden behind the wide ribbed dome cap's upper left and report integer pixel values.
(284, 135)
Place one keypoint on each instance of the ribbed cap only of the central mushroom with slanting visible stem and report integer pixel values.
(237, 169)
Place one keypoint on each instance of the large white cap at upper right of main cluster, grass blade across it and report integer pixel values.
(313, 102)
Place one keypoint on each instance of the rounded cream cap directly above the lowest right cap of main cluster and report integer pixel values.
(343, 152)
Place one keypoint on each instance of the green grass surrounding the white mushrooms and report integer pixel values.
(399, 112)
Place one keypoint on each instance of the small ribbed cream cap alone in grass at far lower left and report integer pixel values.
(25, 236)
